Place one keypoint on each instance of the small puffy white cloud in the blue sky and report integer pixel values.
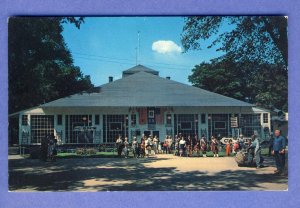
(165, 46)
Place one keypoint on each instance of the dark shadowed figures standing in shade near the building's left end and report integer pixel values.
(48, 148)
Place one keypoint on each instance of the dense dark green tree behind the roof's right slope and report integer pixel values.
(264, 85)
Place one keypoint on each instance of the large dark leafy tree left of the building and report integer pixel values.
(40, 64)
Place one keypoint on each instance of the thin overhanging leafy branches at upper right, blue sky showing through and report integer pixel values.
(262, 39)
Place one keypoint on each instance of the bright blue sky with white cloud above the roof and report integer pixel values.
(106, 46)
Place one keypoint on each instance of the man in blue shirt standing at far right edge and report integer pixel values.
(279, 151)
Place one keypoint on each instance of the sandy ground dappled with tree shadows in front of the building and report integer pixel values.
(164, 172)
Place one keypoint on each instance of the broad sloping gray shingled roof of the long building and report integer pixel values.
(145, 89)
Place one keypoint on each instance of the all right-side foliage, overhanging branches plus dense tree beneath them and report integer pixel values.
(255, 64)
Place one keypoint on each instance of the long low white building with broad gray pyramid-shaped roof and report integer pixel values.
(139, 103)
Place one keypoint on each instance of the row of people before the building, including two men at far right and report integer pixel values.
(190, 146)
